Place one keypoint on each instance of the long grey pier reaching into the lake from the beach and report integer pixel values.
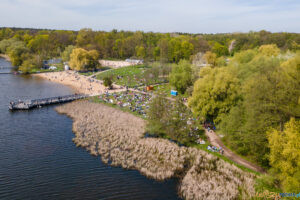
(28, 104)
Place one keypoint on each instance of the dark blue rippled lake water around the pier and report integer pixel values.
(38, 159)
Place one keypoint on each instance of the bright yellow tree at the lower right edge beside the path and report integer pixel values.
(285, 154)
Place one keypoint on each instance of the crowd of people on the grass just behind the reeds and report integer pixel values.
(134, 101)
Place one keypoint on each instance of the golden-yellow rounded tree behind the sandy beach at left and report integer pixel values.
(81, 59)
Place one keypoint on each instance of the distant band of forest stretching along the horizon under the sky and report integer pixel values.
(164, 47)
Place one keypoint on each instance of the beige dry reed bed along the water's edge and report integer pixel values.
(118, 137)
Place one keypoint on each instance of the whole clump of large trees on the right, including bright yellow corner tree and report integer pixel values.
(254, 100)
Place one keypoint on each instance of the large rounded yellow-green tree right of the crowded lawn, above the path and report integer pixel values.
(215, 93)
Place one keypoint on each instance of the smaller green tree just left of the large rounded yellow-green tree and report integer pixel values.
(181, 76)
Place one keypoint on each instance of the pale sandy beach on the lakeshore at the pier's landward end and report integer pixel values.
(80, 83)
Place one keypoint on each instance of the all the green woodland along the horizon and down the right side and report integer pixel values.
(249, 88)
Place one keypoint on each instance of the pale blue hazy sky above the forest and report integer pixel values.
(190, 16)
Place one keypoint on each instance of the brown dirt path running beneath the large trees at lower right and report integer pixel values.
(216, 141)
